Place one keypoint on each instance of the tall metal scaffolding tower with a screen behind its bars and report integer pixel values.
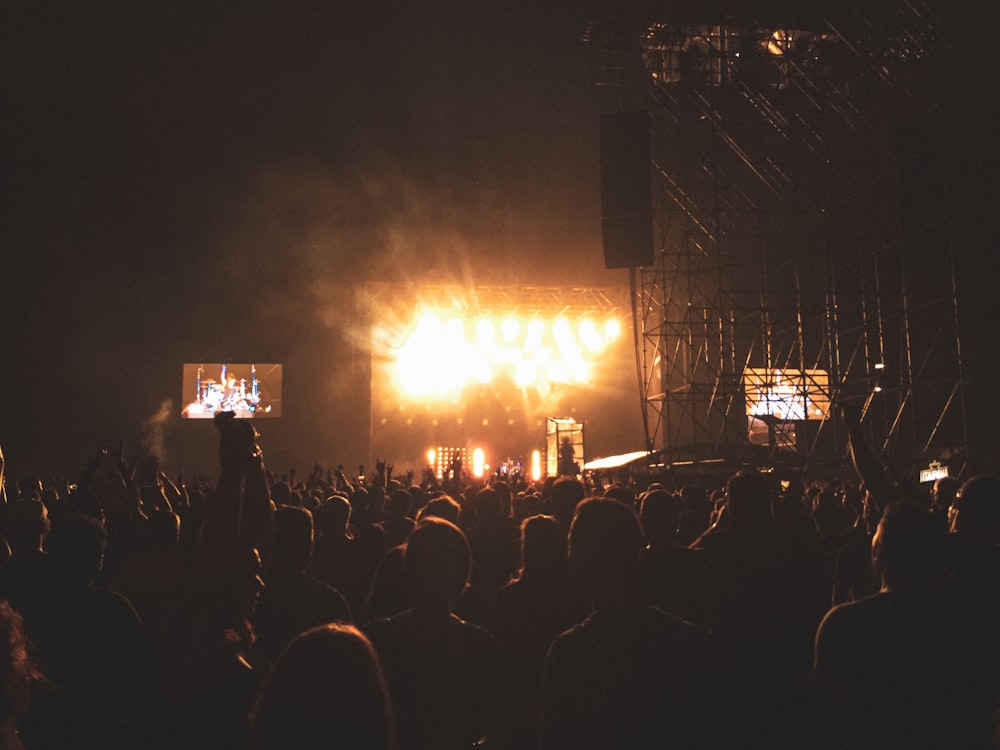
(800, 217)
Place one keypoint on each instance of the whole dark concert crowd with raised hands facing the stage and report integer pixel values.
(262, 611)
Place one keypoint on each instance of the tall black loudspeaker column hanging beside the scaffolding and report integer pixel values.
(626, 190)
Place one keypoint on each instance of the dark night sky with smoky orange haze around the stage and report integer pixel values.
(217, 181)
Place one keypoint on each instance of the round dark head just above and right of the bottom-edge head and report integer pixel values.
(436, 562)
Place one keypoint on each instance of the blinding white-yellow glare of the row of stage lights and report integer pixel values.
(444, 353)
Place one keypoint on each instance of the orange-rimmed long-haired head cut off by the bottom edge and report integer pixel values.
(326, 690)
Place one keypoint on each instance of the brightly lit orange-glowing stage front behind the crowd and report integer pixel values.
(485, 367)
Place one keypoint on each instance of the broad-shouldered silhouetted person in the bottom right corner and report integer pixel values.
(915, 665)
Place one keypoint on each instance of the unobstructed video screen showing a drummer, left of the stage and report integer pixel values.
(250, 391)
